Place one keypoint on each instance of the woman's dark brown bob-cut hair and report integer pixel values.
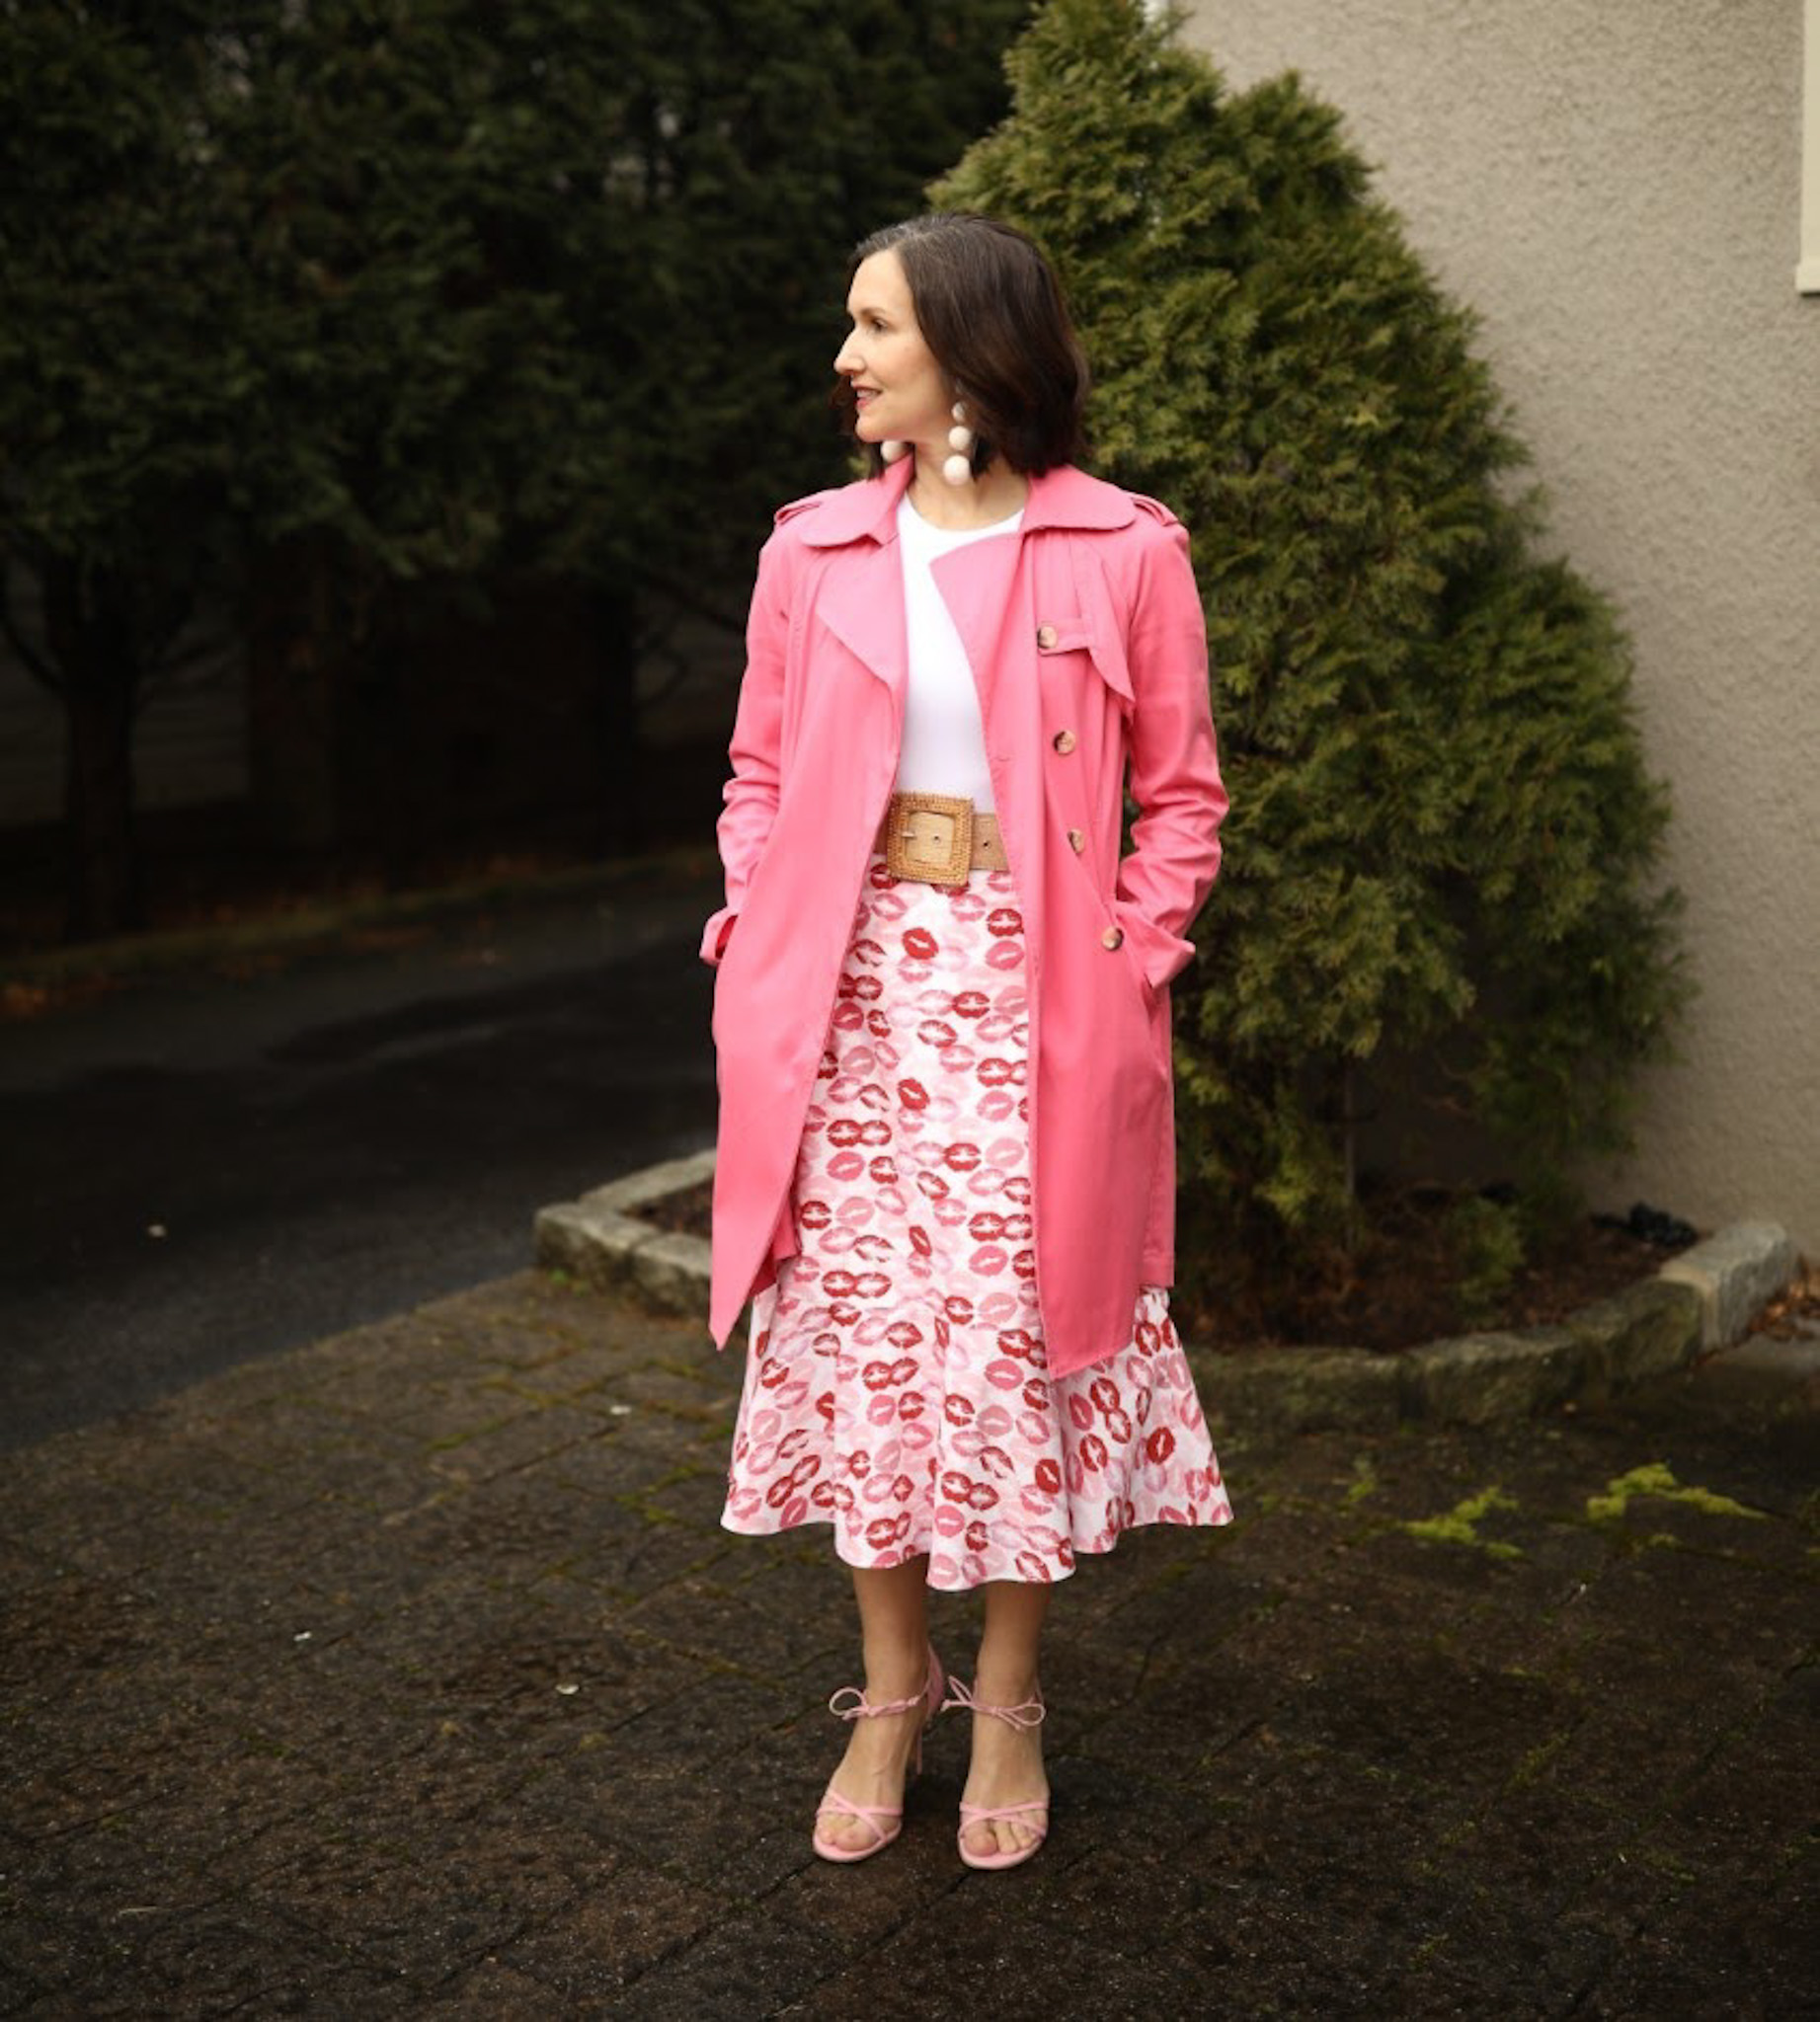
(990, 308)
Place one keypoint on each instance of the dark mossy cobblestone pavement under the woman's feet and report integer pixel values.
(412, 1673)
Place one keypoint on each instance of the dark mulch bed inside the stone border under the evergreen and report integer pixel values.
(1396, 1291)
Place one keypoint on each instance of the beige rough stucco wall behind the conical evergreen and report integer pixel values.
(1617, 191)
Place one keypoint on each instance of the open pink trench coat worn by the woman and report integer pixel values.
(1089, 648)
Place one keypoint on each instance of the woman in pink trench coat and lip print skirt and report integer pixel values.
(947, 1158)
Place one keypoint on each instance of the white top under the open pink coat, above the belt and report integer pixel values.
(943, 733)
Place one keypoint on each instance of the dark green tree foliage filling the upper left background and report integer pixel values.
(371, 292)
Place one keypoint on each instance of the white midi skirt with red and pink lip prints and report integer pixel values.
(895, 1382)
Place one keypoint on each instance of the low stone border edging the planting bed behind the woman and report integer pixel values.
(1698, 1303)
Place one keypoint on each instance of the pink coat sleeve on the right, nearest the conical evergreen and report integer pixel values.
(1174, 759)
